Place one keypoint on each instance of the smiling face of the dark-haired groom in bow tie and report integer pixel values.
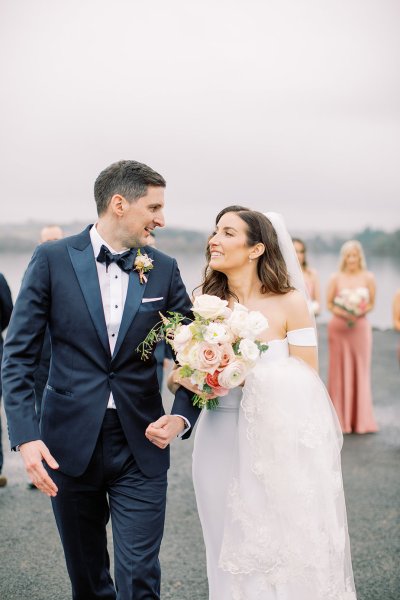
(142, 216)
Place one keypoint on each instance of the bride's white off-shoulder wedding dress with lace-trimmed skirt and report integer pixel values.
(268, 483)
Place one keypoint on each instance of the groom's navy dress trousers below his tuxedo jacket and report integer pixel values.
(112, 484)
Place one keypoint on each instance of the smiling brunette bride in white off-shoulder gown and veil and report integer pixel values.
(266, 462)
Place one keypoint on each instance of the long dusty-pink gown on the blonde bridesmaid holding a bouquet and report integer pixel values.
(349, 378)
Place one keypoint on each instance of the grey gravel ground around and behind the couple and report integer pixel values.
(31, 559)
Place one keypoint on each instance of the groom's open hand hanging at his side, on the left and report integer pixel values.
(33, 453)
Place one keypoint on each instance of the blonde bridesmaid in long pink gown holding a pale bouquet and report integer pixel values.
(351, 295)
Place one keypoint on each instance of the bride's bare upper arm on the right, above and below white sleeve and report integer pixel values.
(298, 317)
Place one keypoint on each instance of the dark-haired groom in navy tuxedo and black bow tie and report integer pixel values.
(91, 454)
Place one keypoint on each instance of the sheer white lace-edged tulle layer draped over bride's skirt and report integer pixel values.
(286, 519)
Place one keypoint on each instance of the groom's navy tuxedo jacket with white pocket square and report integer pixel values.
(61, 289)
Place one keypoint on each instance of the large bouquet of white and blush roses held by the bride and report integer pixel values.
(216, 350)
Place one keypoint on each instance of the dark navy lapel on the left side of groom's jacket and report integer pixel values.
(84, 265)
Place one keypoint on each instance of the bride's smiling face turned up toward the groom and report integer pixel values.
(228, 245)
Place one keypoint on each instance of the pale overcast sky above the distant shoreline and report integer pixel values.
(285, 105)
